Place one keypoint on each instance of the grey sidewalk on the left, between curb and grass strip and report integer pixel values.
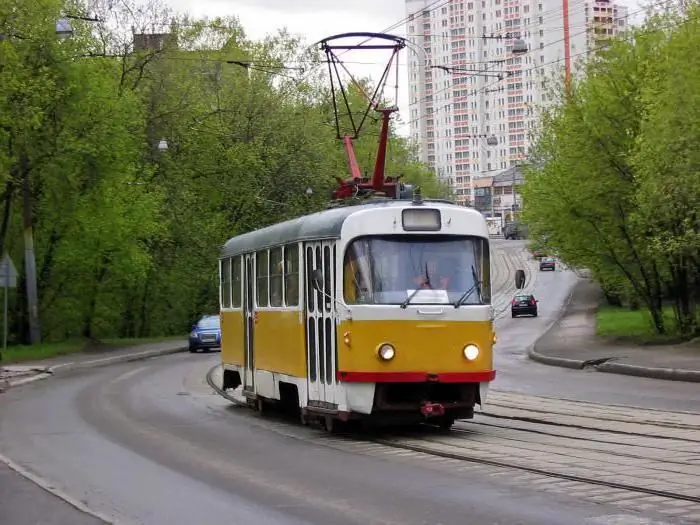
(23, 373)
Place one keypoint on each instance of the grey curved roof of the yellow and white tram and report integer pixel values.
(324, 224)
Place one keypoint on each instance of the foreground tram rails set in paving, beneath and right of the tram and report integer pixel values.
(633, 464)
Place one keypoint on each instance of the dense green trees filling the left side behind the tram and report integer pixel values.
(127, 236)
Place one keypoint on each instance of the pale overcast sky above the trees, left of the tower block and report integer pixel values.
(317, 19)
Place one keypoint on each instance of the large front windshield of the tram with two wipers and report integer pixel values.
(417, 269)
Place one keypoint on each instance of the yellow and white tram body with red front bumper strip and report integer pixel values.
(380, 311)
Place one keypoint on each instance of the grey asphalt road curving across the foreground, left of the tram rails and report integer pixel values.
(148, 443)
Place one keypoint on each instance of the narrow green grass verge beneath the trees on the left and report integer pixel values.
(21, 353)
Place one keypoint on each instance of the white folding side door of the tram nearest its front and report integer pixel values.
(320, 322)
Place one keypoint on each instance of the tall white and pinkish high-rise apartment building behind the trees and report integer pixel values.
(472, 100)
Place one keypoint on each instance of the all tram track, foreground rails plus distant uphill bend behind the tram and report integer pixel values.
(639, 457)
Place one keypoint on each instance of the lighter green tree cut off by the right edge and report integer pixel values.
(666, 159)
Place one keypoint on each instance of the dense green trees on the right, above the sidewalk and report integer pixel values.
(617, 187)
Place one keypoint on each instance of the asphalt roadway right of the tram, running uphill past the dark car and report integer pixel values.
(517, 373)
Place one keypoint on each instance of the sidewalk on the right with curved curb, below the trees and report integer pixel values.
(572, 343)
